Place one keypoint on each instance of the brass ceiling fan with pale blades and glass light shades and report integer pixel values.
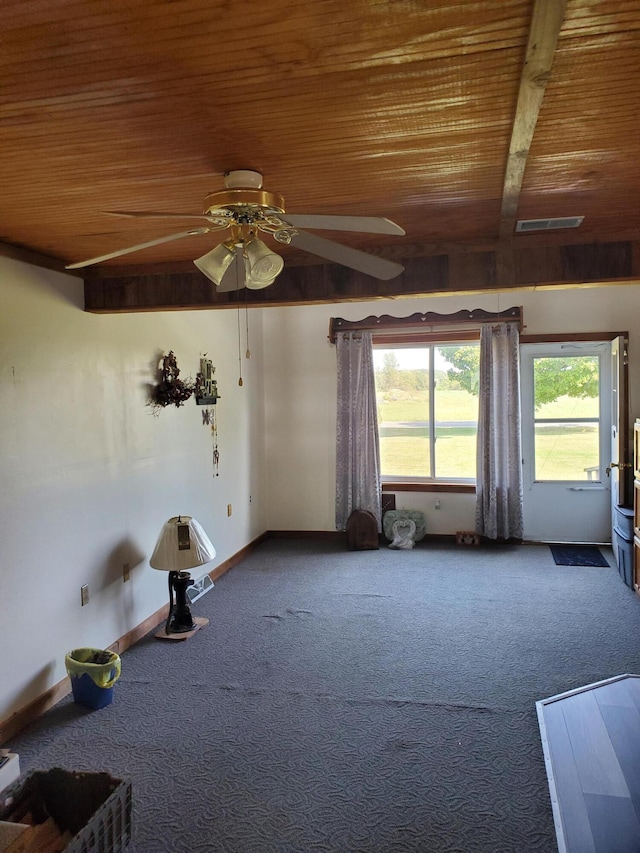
(246, 210)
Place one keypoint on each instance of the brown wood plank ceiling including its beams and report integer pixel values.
(453, 119)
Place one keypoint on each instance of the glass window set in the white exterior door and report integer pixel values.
(567, 408)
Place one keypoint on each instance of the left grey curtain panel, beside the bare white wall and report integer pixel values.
(358, 484)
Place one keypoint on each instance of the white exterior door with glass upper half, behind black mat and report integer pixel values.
(566, 441)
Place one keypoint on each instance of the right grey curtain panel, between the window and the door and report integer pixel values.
(499, 487)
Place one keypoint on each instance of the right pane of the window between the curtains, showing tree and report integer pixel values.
(456, 410)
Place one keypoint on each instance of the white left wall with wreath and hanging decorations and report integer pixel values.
(89, 474)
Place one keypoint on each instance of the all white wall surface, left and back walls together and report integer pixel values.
(89, 475)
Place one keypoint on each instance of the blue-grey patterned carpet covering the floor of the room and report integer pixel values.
(353, 701)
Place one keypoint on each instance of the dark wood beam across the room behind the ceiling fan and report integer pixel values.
(508, 267)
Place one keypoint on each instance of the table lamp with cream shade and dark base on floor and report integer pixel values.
(182, 545)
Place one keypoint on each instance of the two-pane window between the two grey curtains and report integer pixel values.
(427, 397)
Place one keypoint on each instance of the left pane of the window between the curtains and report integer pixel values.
(402, 386)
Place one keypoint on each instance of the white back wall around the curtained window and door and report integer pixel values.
(300, 391)
